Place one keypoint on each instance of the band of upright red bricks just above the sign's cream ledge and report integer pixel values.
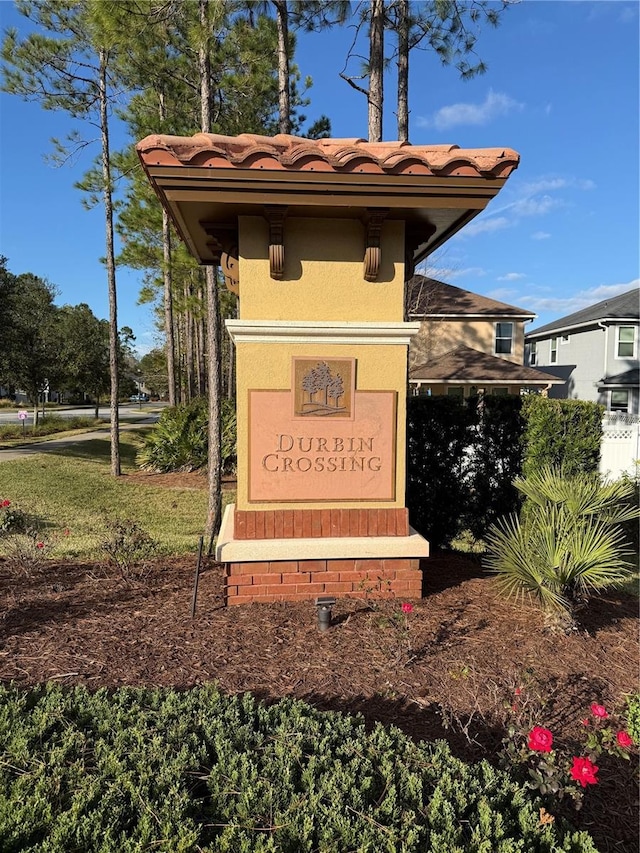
(317, 523)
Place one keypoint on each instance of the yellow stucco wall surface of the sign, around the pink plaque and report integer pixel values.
(323, 281)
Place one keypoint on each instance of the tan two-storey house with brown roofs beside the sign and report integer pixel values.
(467, 343)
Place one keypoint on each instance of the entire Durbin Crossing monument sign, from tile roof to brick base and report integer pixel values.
(317, 238)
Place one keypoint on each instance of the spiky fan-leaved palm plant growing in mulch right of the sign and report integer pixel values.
(568, 542)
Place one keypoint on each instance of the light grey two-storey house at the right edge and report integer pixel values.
(595, 351)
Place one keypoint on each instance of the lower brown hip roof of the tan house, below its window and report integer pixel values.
(466, 365)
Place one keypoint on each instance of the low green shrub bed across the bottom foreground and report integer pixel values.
(160, 770)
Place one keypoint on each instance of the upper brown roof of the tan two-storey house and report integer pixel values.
(428, 297)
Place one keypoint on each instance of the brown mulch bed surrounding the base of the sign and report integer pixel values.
(81, 623)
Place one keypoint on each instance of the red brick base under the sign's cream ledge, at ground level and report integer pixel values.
(299, 580)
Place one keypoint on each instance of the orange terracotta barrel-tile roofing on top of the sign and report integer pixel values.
(295, 153)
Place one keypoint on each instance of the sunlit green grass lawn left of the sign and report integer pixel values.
(73, 489)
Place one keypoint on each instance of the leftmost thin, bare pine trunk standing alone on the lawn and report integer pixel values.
(111, 269)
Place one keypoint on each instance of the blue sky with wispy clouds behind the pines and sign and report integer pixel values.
(561, 89)
